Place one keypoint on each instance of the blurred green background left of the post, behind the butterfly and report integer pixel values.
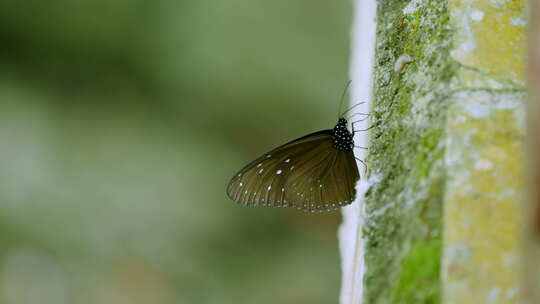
(121, 123)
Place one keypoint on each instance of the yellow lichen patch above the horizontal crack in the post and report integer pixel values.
(491, 37)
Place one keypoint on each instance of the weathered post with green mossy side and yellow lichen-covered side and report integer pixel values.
(442, 217)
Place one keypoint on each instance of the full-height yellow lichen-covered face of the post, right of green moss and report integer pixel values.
(483, 219)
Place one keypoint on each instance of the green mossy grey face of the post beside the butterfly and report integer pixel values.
(404, 204)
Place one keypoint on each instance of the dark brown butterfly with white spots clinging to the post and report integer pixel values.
(314, 173)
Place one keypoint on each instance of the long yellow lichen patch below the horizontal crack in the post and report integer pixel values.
(482, 214)
